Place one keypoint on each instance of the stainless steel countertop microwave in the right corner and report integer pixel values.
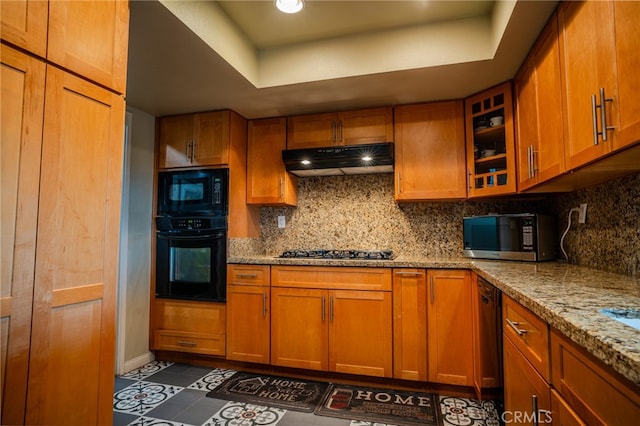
(527, 236)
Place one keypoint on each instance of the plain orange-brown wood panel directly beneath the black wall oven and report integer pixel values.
(193, 317)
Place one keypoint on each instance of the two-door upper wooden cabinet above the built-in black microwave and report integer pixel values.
(194, 140)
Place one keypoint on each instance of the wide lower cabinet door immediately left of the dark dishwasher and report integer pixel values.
(449, 313)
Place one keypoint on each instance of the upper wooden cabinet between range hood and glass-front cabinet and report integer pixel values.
(429, 151)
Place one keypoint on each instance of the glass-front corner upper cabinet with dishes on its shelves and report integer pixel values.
(490, 142)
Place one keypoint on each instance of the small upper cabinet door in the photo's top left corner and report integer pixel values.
(24, 24)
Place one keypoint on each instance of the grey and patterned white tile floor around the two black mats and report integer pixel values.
(168, 394)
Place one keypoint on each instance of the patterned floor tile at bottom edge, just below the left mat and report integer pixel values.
(243, 414)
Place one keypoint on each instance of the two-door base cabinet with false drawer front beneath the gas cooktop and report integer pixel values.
(329, 318)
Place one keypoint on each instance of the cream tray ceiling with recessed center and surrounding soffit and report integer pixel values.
(189, 56)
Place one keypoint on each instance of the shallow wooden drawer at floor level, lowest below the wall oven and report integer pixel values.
(199, 343)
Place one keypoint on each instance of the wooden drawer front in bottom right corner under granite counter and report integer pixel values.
(596, 394)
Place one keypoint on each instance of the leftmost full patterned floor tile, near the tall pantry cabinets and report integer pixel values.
(141, 397)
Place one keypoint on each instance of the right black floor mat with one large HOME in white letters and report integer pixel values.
(380, 405)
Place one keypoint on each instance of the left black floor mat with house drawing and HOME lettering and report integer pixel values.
(282, 392)
